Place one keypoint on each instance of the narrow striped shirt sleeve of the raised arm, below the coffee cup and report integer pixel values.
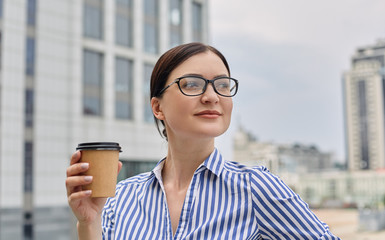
(108, 219)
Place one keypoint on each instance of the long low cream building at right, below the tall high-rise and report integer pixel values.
(362, 189)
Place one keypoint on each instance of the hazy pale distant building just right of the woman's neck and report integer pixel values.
(280, 158)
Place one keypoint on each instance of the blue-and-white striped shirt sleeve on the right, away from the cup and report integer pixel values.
(281, 213)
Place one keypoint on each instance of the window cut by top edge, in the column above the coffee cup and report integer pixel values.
(93, 19)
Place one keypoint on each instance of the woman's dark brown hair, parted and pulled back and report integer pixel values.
(169, 61)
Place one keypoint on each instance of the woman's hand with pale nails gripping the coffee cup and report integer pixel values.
(86, 209)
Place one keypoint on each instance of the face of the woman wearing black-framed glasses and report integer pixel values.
(204, 116)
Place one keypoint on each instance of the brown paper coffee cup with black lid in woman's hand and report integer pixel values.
(103, 159)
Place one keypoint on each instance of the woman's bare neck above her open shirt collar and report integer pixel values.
(183, 158)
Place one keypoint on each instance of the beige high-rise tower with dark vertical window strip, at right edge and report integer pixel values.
(364, 95)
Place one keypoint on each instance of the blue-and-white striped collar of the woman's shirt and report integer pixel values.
(214, 163)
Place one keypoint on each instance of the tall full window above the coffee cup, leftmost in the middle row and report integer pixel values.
(92, 83)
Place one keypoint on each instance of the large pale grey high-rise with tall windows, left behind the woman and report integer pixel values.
(76, 71)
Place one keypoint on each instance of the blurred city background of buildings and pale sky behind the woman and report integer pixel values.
(310, 106)
